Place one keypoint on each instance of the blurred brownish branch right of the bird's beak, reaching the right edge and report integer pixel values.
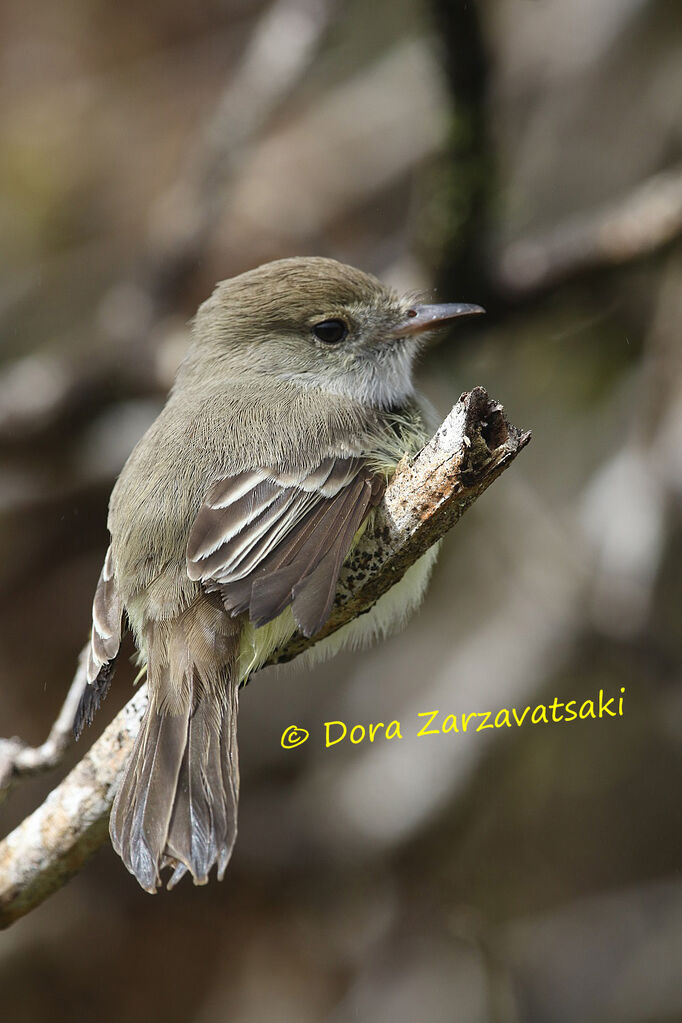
(642, 224)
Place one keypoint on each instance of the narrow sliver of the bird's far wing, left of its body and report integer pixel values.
(105, 643)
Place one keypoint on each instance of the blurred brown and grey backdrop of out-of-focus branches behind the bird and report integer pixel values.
(526, 155)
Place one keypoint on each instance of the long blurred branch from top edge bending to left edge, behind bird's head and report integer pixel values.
(40, 390)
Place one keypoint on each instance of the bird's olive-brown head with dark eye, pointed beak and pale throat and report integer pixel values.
(317, 324)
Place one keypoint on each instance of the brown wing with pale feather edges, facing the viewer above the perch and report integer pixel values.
(268, 540)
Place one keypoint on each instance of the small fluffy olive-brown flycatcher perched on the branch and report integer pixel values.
(231, 523)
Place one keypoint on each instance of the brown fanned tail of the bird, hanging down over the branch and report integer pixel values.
(177, 803)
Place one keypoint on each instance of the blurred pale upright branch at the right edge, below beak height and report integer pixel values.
(635, 497)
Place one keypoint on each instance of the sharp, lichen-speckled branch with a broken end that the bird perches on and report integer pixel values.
(427, 498)
